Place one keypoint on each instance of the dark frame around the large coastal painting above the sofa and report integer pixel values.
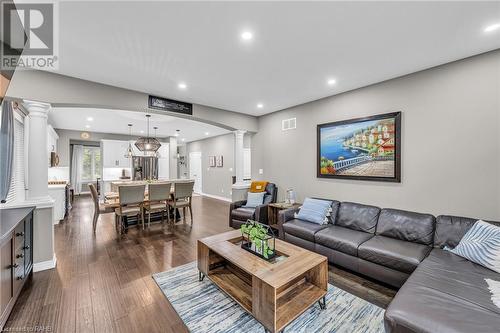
(396, 177)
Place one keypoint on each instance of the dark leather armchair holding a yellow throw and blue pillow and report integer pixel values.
(238, 214)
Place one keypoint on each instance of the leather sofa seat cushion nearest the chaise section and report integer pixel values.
(393, 253)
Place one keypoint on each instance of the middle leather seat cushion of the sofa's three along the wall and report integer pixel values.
(342, 239)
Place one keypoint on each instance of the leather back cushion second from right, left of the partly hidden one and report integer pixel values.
(407, 226)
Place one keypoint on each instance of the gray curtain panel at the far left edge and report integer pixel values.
(6, 148)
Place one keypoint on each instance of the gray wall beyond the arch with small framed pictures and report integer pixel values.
(215, 181)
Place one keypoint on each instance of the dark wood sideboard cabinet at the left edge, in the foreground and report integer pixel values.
(16, 256)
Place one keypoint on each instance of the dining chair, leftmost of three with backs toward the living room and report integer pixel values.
(131, 201)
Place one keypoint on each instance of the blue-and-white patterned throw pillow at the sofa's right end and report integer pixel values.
(481, 244)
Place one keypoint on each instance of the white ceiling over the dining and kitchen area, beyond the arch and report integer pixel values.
(116, 122)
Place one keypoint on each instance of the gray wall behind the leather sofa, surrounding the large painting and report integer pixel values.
(450, 141)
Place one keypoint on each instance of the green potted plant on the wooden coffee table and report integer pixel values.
(259, 239)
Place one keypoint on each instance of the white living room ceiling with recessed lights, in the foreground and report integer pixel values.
(297, 46)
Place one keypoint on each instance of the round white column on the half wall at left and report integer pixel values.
(37, 149)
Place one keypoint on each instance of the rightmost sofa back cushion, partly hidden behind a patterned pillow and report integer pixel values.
(451, 229)
